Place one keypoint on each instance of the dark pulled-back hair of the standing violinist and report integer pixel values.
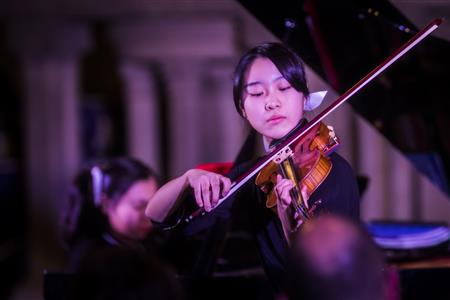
(286, 60)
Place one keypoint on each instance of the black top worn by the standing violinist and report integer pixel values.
(338, 194)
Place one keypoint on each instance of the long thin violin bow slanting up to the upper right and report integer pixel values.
(397, 54)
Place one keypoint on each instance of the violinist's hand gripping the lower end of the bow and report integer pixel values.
(208, 187)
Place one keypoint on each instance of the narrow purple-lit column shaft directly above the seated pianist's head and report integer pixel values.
(142, 112)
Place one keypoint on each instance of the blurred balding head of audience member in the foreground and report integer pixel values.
(358, 275)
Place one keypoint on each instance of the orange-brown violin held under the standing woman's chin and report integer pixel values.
(306, 163)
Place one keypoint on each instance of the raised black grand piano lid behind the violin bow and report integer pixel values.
(343, 40)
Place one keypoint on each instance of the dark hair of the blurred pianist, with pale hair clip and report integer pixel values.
(82, 216)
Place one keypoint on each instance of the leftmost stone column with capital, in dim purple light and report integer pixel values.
(49, 53)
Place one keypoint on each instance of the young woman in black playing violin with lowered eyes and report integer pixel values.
(270, 92)
